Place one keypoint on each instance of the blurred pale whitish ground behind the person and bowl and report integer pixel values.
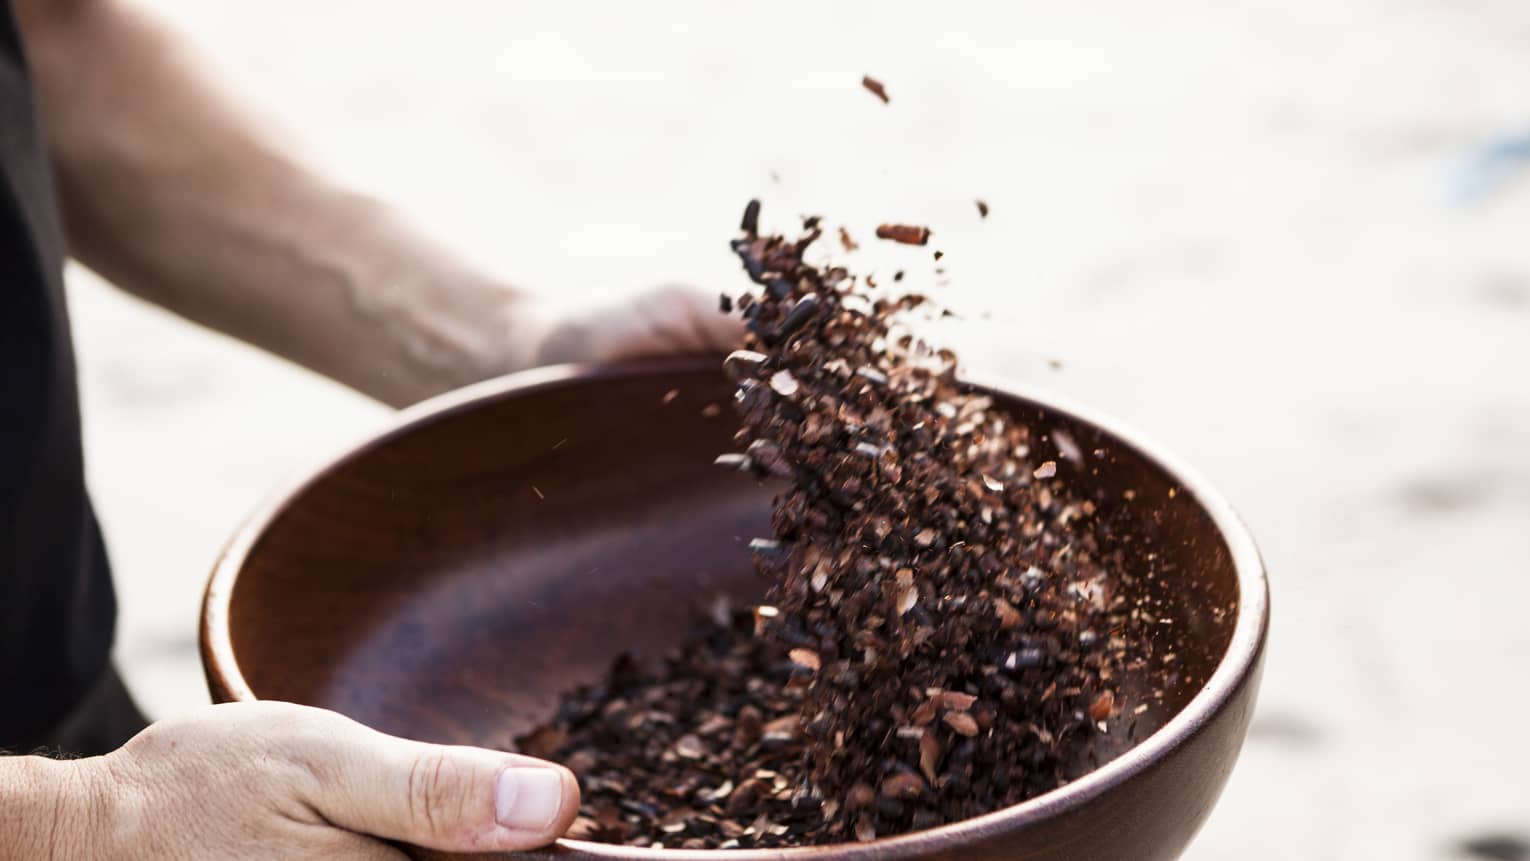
(1234, 226)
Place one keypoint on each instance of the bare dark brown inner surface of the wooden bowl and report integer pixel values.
(449, 579)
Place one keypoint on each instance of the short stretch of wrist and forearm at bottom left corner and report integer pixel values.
(48, 810)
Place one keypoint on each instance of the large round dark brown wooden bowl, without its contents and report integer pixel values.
(578, 510)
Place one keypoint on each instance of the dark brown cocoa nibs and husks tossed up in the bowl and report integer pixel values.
(942, 640)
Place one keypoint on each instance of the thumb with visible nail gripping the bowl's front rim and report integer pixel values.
(441, 798)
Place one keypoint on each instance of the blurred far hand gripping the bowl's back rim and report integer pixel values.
(666, 320)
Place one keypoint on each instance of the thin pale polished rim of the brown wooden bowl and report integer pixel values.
(1239, 663)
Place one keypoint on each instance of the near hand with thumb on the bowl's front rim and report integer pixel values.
(279, 781)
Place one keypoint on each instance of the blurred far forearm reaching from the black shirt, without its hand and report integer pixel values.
(178, 195)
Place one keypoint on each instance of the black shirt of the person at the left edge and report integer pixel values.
(56, 593)
